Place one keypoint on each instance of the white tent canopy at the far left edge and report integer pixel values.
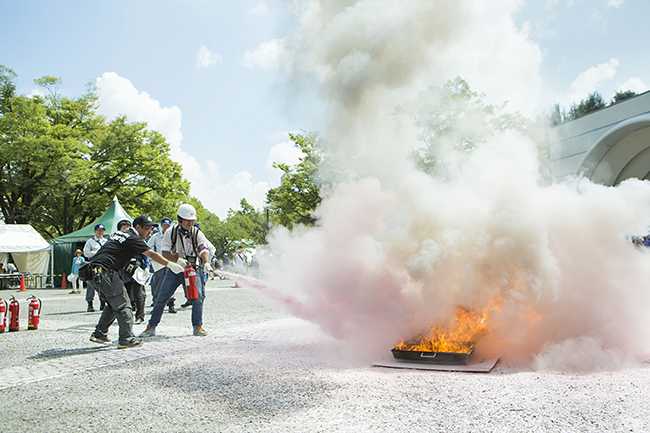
(29, 250)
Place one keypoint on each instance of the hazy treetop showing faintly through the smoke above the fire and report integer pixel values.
(455, 117)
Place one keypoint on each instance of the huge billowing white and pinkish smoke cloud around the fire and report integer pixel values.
(396, 249)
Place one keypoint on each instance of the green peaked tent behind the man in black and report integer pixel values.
(63, 247)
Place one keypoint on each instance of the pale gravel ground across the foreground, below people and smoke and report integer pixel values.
(260, 370)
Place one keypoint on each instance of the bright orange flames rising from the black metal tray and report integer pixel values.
(466, 328)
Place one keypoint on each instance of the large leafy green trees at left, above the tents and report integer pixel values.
(62, 164)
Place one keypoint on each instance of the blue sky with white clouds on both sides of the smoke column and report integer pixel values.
(209, 74)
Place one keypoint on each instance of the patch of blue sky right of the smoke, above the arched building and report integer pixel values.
(577, 35)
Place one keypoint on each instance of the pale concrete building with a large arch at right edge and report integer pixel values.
(607, 146)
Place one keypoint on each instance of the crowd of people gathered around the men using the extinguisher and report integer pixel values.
(144, 253)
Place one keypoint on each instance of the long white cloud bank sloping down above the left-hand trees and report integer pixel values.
(118, 96)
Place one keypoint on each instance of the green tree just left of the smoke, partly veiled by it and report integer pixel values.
(298, 195)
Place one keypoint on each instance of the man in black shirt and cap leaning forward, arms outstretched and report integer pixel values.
(106, 264)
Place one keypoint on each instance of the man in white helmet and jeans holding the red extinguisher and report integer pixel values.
(186, 245)
